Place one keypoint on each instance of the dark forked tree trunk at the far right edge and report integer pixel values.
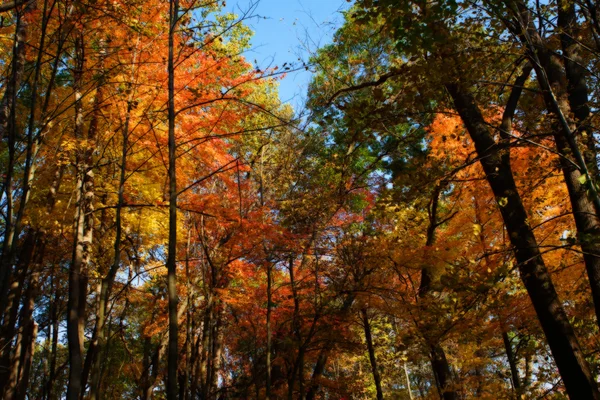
(560, 89)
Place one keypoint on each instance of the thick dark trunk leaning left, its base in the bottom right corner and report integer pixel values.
(495, 161)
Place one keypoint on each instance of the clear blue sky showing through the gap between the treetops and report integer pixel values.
(292, 29)
